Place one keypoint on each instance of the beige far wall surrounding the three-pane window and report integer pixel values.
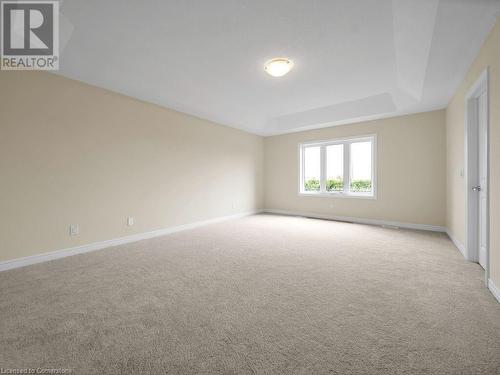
(411, 171)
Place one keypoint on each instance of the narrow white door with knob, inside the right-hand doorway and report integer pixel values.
(483, 175)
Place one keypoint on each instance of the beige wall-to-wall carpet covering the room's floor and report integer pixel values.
(260, 295)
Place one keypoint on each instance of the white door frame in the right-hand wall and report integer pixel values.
(472, 171)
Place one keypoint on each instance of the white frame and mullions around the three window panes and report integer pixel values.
(347, 143)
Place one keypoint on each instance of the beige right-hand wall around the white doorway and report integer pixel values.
(489, 55)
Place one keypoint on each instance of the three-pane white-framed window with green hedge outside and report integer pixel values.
(338, 167)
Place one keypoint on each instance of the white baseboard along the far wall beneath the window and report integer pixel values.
(358, 220)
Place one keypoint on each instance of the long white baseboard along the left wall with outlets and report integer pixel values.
(44, 257)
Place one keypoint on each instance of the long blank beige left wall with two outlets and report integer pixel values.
(73, 153)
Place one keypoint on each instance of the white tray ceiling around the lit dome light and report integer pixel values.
(354, 60)
